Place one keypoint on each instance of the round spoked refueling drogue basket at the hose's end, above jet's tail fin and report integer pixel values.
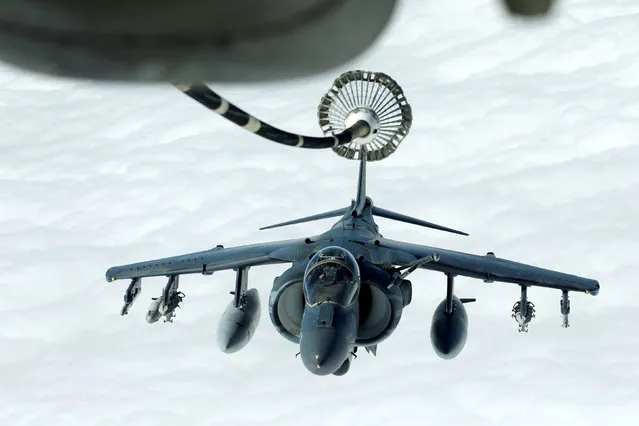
(372, 97)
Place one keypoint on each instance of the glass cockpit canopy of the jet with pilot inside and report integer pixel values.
(332, 275)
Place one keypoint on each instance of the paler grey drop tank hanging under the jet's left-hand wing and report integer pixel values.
(237, 324)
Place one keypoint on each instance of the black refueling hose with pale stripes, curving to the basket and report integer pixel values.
(207, 97)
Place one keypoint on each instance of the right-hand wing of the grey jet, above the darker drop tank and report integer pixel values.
(488, 267)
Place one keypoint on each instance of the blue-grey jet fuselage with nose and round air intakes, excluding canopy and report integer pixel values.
(328, 333)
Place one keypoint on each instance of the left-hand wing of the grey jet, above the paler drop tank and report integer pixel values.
(216, 259)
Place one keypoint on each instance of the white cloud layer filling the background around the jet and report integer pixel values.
(524, 136)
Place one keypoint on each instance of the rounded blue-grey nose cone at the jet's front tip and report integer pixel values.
(323, 351)
